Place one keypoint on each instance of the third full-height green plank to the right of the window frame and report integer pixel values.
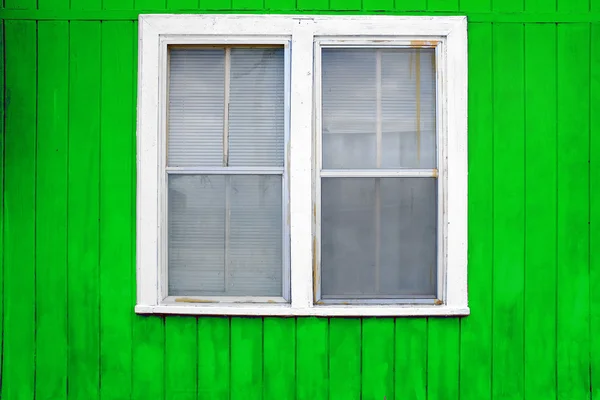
(540, 211)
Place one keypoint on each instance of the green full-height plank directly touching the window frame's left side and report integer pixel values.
(116, 260)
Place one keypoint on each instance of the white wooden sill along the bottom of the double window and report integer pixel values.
(318, 311)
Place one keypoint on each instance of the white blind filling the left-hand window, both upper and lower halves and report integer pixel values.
(225, 230)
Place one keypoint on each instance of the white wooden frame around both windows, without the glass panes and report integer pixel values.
(448, 35)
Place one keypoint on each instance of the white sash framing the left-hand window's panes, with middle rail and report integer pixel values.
(224, 170)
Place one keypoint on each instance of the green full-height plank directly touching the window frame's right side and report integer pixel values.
(476, 330)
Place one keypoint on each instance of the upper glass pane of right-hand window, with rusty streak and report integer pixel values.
(378, 108)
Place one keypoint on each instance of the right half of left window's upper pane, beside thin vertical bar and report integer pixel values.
(256, 110)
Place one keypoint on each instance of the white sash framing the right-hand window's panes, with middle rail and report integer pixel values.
(439, 172)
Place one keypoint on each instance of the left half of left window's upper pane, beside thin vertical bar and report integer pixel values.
(196, 106)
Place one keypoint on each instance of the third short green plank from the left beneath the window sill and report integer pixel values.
(213, 358)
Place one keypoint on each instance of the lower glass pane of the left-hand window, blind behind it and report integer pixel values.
(225, 235)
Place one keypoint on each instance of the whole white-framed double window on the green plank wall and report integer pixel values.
(302, 165)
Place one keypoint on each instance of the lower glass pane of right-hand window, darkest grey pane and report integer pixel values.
(378, 237)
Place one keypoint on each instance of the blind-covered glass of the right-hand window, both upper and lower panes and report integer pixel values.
(378, 235)
